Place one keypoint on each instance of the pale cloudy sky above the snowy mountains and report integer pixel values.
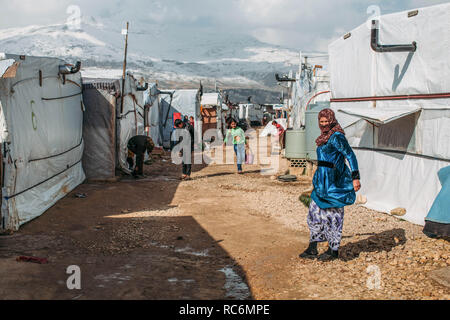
(297, 24)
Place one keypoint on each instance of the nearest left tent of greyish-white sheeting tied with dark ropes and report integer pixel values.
(41, 121)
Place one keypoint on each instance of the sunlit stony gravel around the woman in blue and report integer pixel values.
(382, 257)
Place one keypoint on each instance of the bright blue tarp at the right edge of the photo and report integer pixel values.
(440, 211)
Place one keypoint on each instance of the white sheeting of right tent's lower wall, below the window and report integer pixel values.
(391, 181)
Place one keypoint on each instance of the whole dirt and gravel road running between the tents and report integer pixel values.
(219, 236)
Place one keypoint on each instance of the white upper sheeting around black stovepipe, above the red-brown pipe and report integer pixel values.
(358, 71)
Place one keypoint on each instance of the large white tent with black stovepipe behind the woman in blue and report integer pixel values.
(395, 107)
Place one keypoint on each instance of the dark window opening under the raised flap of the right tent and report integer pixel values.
(398, 135)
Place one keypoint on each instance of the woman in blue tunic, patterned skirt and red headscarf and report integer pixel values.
(335, 187)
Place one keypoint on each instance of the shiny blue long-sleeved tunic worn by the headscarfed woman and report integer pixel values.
(333, 187)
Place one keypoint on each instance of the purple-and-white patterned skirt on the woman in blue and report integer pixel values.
(326, 225)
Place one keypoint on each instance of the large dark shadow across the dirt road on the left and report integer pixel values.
(130, 243)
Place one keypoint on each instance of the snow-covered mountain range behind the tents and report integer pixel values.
(165, 53)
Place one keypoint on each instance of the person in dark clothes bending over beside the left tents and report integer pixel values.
(137, 146)
